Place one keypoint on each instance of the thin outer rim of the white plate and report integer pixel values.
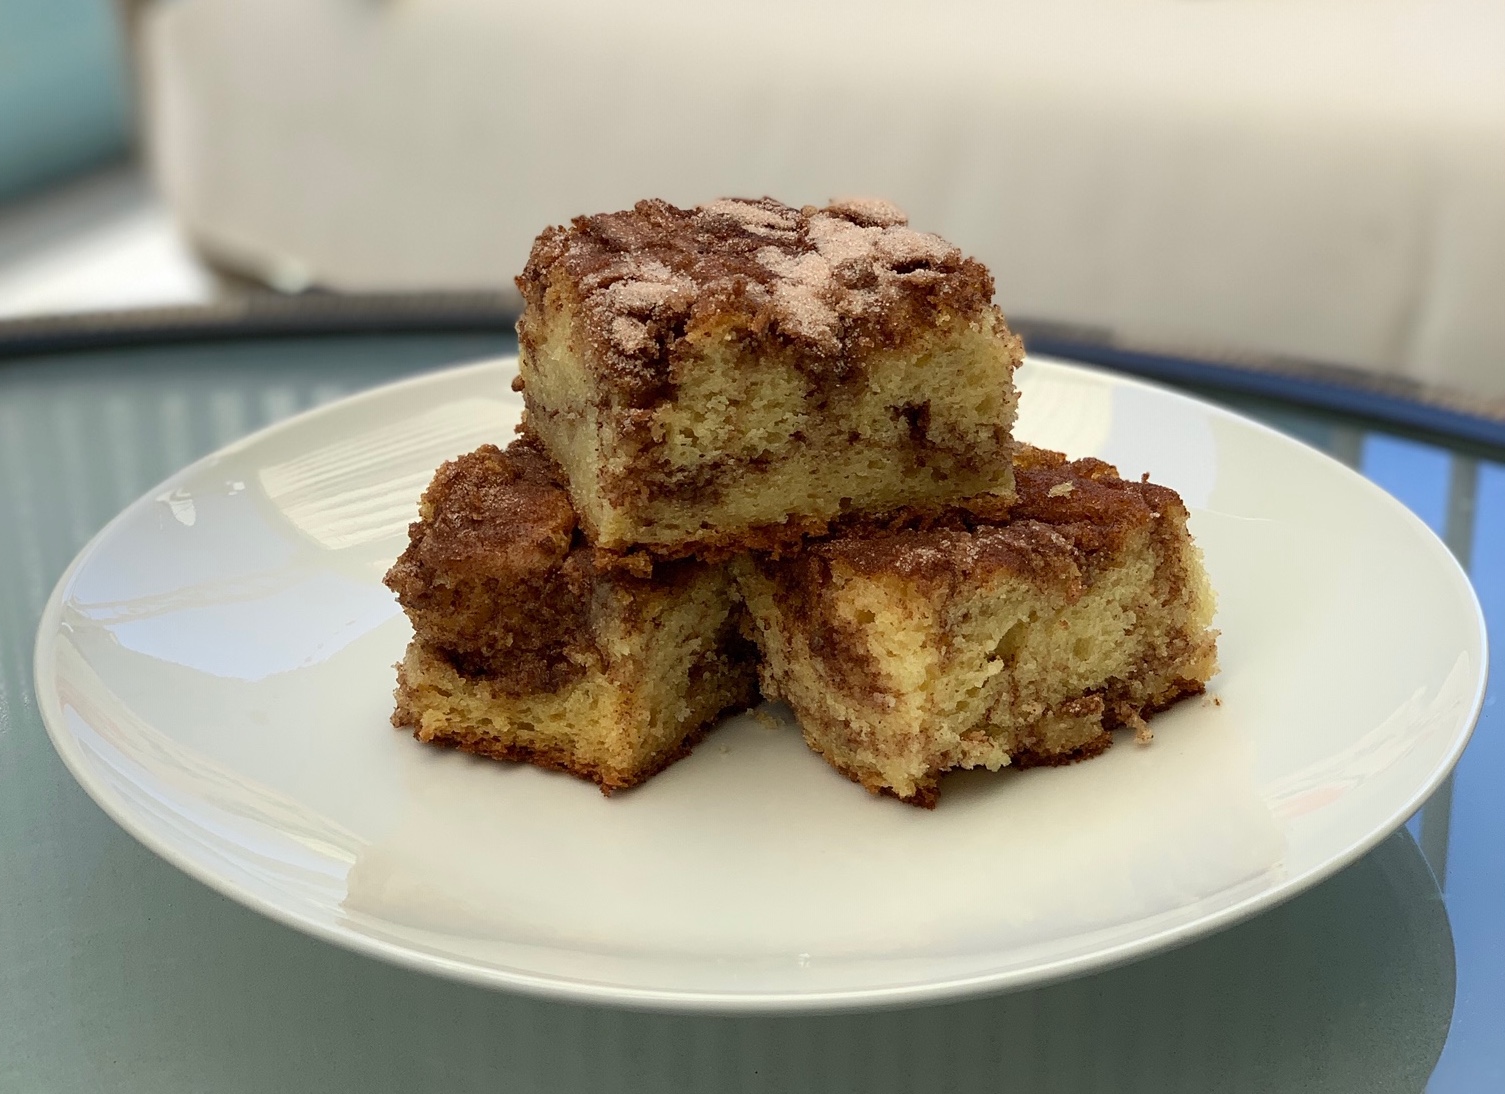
(570, 989)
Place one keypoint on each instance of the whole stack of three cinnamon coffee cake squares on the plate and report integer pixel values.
(770, 452)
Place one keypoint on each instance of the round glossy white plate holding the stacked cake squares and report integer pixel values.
(217, 666)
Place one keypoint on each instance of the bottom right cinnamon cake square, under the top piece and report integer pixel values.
(910, 654)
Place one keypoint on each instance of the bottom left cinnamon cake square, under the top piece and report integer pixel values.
(526, 651)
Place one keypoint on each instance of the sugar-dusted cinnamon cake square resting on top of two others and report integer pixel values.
(743, 374)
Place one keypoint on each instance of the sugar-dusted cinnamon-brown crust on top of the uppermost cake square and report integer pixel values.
(833, 285)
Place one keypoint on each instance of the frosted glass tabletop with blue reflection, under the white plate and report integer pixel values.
(120, 973)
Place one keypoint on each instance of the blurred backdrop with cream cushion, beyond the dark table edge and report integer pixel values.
(1244, 180)
